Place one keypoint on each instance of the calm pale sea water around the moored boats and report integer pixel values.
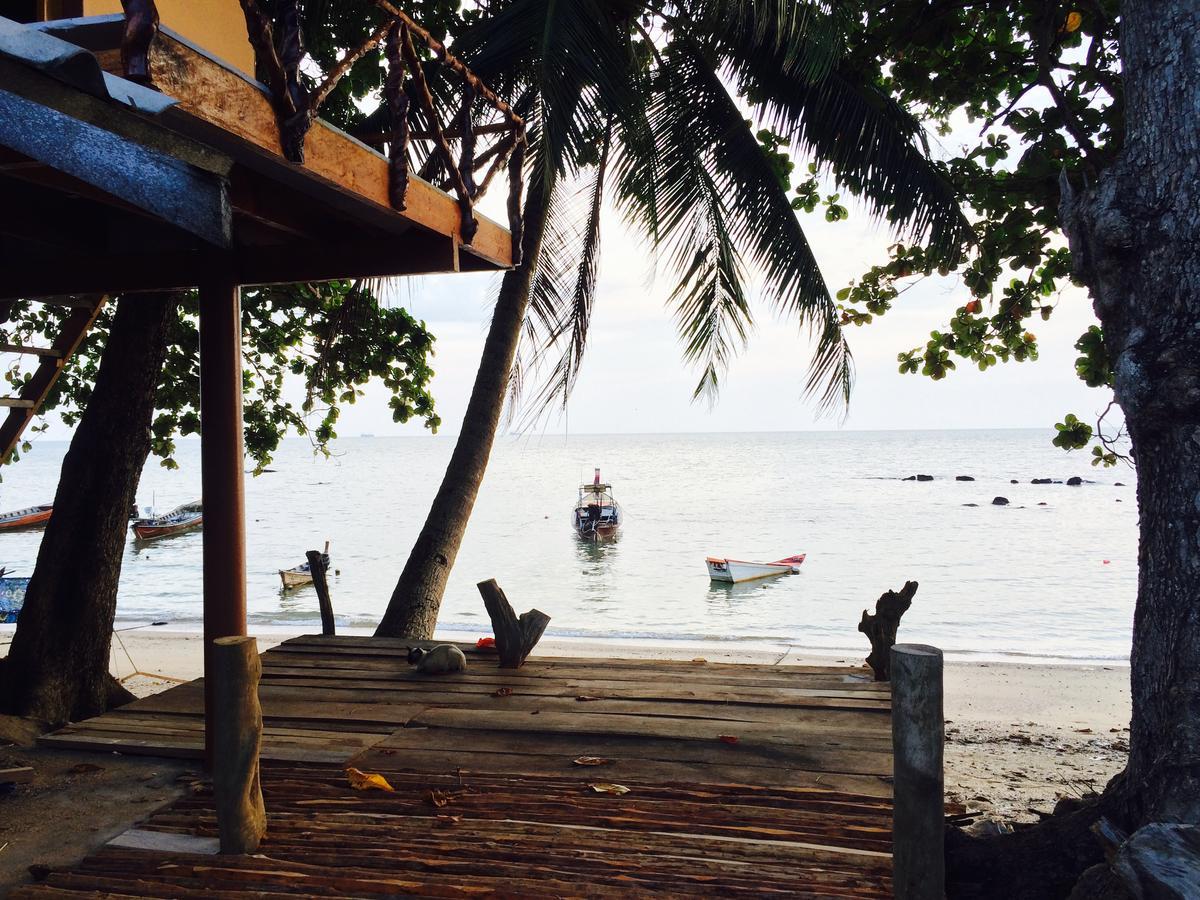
(1054, 581)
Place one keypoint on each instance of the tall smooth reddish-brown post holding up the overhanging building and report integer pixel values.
(221, 476)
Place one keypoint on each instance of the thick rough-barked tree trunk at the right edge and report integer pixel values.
(1135, 238)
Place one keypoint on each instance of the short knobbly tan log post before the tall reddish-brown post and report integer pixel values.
(238, 733)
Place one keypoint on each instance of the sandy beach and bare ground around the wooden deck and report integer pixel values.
(1019, 737)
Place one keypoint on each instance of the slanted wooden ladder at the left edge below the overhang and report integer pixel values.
(25, 407)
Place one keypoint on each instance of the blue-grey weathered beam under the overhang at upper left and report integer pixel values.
(182, 195)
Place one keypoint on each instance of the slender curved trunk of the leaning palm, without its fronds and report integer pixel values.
(413, 609)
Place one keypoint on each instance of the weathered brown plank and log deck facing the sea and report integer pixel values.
(742, 781)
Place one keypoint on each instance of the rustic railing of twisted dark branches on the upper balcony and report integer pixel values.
(417, 137)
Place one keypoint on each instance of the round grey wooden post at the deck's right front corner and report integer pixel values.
(919, 862)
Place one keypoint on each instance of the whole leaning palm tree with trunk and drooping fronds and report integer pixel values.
(650, 103)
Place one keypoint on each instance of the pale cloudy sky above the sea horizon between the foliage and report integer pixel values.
(634, 377)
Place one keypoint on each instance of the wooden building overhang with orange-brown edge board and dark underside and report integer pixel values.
(112, 194)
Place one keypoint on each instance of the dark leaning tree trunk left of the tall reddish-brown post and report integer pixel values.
(58, 664)
